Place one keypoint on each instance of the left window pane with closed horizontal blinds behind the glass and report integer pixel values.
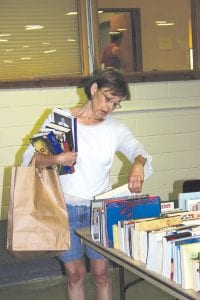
(39, 38)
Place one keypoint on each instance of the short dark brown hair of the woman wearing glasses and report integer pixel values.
(112, 79)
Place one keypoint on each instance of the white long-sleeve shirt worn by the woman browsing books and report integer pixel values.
(97, 145)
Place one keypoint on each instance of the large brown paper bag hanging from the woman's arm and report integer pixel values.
(37, 215)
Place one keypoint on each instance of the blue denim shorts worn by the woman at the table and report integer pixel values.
(79, 216)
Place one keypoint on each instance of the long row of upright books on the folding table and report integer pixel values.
(165, 241)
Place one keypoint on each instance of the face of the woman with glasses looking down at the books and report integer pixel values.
(103, 102)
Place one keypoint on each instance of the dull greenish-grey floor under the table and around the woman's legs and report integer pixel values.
(55, 288)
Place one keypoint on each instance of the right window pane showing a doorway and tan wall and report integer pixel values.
(157, 34)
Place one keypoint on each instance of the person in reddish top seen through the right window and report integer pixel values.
(112, 54)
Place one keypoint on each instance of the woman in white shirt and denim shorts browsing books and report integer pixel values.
(99, 137)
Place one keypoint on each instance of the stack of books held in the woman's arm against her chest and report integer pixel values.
(57, 136)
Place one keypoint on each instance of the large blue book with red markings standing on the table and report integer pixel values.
(128, 208)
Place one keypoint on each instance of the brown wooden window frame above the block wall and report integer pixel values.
(74, 80)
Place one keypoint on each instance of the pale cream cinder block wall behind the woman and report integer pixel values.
(164, 116)
